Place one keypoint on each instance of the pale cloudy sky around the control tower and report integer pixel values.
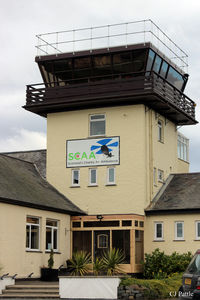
(21, 20)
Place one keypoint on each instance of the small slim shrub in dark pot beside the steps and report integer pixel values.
(49, 274)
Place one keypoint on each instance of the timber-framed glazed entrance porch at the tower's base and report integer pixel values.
(95, 234)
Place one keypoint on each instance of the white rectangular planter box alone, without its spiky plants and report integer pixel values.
(90, 287)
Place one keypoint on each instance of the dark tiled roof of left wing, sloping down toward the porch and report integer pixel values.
(21, 184)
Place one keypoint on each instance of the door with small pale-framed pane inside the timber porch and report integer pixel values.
(101, 242)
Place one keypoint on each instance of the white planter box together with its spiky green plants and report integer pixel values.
(102, 285)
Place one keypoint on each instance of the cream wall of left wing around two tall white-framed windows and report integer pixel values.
(13, 255)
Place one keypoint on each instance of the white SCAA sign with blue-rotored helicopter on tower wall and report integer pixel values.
(93, 152)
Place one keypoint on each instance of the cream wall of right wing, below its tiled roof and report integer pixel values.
(169, 245)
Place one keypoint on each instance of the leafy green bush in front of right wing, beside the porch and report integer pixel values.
(158, 265)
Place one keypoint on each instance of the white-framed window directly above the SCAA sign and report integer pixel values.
(97, 125)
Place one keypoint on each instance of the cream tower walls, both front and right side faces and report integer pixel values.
(140, 152)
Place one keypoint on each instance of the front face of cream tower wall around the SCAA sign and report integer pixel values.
(129, 194)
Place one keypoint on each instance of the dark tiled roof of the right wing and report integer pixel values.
(180, 193)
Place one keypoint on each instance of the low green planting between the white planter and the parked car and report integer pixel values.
(155, 288)
